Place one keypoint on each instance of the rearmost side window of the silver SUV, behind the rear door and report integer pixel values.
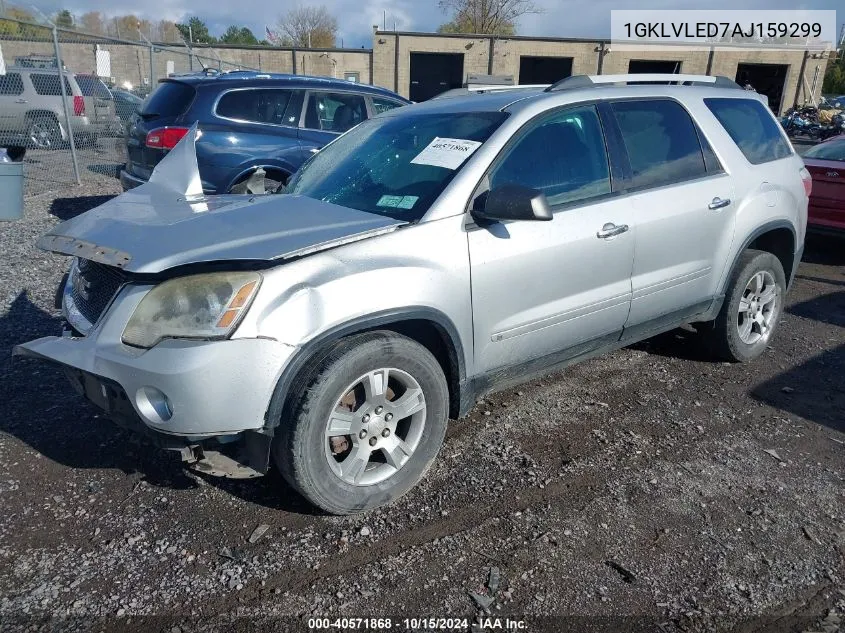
(752, 127)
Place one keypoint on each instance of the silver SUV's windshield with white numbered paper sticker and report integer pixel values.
(395, 166)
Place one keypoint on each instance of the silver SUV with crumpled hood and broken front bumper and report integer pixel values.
(425, 257)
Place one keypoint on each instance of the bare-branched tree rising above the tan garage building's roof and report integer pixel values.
(489, 17)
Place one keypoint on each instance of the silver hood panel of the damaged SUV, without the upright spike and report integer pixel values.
(150, 229)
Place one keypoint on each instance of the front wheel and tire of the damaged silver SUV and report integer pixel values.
(342, 388)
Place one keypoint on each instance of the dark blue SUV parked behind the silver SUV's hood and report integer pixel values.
(248, 120)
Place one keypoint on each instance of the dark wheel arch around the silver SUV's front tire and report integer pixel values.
(429, 327)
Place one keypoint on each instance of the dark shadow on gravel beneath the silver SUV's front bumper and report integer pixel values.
(39, 407)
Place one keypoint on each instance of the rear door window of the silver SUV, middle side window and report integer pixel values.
(661, 141)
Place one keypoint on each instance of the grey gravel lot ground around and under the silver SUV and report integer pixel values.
(648, 489)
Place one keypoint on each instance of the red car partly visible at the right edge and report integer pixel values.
(826, 163)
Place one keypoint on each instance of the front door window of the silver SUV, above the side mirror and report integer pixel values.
(563, 155)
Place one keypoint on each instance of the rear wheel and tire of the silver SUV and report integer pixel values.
(736, 336)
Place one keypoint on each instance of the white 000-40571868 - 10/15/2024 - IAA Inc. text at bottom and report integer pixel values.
(438, 624)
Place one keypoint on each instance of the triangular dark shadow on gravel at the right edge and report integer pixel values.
(811, 390)
